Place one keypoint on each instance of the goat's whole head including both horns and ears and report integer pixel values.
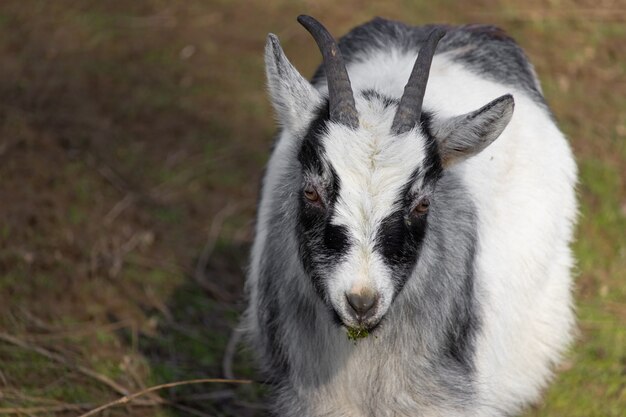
(369, 168)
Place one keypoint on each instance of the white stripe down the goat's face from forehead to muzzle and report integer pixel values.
(373, 167)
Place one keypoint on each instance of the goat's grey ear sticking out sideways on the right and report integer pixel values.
(463, 136)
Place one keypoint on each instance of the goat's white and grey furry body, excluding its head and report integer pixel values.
(506, 217)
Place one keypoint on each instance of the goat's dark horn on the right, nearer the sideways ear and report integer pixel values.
(410, 107)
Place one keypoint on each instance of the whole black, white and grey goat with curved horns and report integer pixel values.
(407, 263)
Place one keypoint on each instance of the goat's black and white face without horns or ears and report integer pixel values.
(363, 208)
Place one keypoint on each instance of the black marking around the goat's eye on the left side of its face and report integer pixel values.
(322, 245)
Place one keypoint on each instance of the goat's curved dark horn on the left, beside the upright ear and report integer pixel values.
(340, 97)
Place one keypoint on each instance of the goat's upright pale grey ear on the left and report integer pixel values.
(293, 97)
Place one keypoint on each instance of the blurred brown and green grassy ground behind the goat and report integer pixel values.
(133, 135)
